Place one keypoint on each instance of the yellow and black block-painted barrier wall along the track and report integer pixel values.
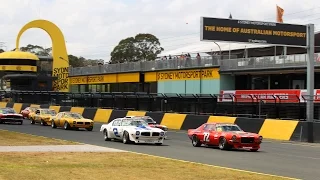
(288, 130)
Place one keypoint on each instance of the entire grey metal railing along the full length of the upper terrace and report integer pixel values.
(226, 64)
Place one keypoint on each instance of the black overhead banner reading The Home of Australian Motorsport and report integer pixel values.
(214, 29)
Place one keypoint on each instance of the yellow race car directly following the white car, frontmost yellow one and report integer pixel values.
(71, 120)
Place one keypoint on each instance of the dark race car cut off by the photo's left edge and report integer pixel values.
(9, 115)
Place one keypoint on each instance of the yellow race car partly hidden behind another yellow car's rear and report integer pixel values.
(43, 116)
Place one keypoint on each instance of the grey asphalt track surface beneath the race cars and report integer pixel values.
(296, 160)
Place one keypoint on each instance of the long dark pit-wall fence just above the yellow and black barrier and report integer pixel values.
(181, 103)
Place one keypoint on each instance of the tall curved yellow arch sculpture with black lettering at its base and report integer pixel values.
(60, 68)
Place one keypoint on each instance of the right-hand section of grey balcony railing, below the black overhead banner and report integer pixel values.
(267, 62)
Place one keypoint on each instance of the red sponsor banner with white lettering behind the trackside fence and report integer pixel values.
(268, 96)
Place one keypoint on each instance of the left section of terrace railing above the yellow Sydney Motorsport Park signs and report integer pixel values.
(206, 61)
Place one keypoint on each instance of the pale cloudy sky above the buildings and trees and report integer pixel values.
(92, 28)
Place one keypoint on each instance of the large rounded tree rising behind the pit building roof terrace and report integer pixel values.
(132, 49)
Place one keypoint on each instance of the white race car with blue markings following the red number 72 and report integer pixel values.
(132, 130)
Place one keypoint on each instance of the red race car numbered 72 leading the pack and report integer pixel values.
(226, 136)
